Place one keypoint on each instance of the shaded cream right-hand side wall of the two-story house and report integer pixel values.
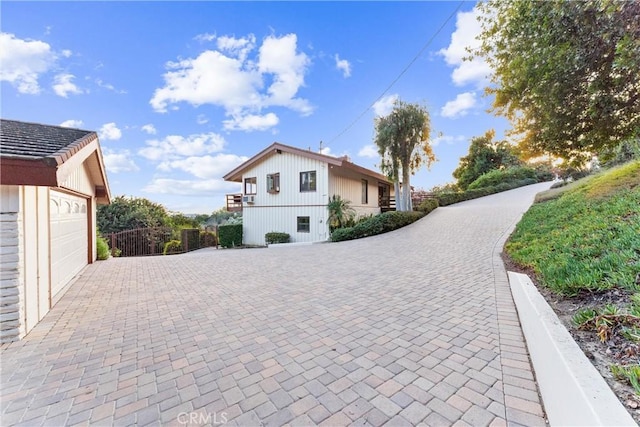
(350, 188)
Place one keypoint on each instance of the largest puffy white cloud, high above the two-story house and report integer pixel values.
(228, 78)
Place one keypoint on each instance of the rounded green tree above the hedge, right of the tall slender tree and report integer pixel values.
(484, 155)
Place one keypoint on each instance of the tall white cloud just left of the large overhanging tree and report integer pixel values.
(466, 72)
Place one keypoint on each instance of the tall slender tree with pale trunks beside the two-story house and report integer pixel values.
(402, 138)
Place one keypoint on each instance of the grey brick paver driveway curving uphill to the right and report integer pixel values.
(414, 326)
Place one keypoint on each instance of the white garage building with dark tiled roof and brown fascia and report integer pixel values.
(51, 179)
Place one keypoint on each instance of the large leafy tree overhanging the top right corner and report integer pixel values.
(565, 72)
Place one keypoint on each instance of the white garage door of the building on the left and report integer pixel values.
(69, 238)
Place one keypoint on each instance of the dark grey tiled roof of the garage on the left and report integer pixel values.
(35, 141)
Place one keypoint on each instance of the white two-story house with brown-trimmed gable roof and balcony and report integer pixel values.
(287, 189)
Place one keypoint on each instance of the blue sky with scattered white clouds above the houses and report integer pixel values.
(182, 92)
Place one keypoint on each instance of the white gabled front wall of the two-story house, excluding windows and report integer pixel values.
(279, 212)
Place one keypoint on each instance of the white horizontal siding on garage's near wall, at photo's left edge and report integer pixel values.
(11, 278)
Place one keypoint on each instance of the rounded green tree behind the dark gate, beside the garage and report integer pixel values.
(128, 213)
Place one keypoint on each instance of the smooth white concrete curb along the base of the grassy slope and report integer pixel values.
(573, 391)
